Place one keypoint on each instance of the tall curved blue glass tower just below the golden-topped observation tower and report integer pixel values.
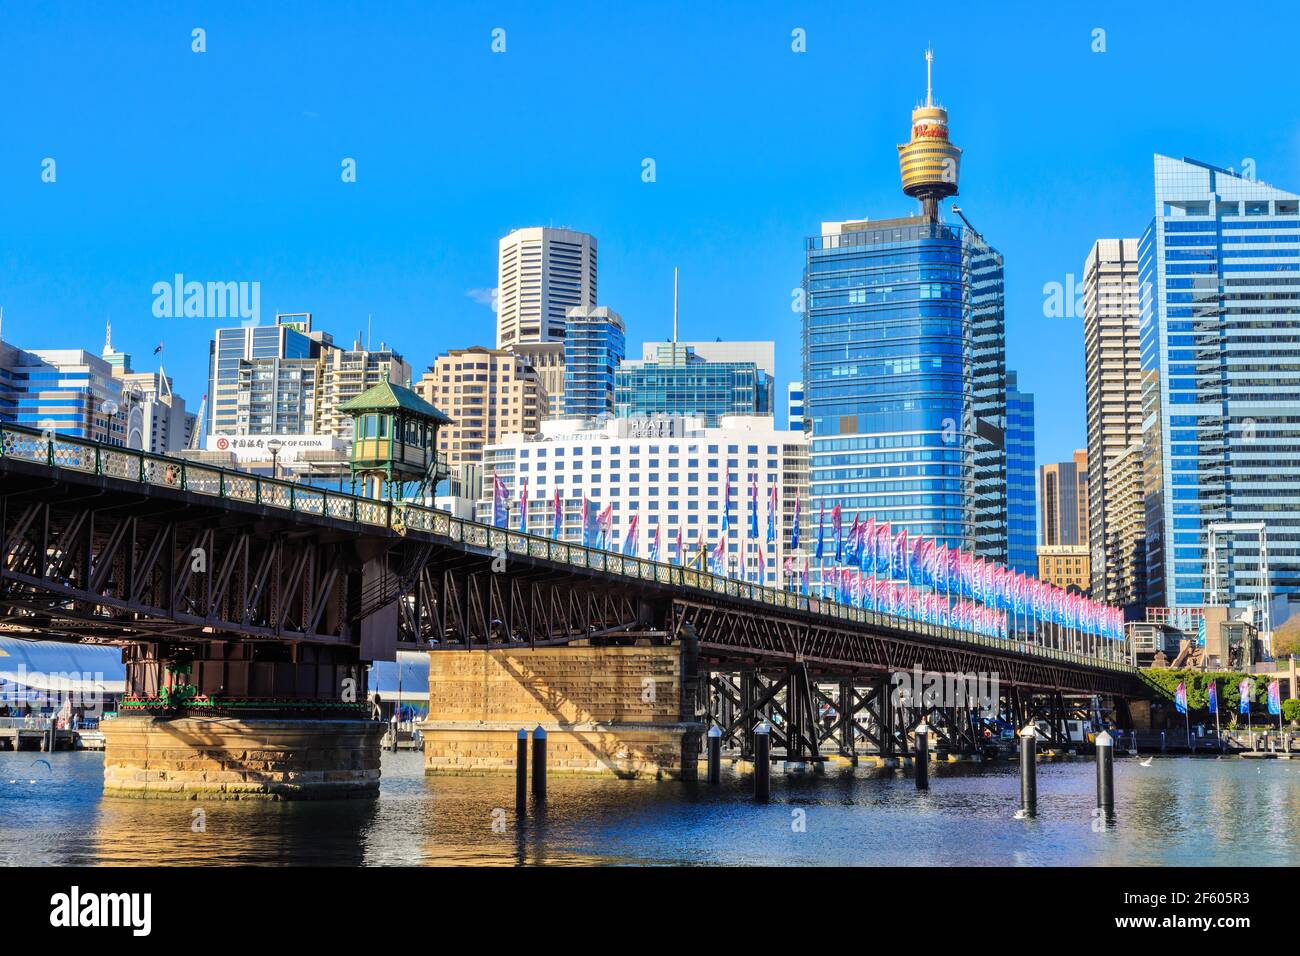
(904, 375)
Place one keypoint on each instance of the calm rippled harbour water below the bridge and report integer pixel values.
(1176, 812)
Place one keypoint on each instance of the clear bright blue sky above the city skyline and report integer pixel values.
(226, 166)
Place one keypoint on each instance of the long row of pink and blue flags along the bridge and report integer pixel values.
(957, 586)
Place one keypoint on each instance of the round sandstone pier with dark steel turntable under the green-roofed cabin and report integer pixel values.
(240, 721)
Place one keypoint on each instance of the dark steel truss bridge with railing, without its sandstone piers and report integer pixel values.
(233, 591)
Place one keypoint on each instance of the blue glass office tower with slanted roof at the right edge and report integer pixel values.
(1220, 300)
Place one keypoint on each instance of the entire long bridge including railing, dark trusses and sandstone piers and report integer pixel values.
(249, 608)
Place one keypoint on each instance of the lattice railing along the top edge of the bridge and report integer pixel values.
(94, 458)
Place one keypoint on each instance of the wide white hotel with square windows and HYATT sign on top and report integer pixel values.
(669, 473)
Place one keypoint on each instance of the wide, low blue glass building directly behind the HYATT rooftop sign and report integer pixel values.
(678, 382)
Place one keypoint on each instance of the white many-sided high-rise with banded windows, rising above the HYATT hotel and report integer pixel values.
(541, 275)
